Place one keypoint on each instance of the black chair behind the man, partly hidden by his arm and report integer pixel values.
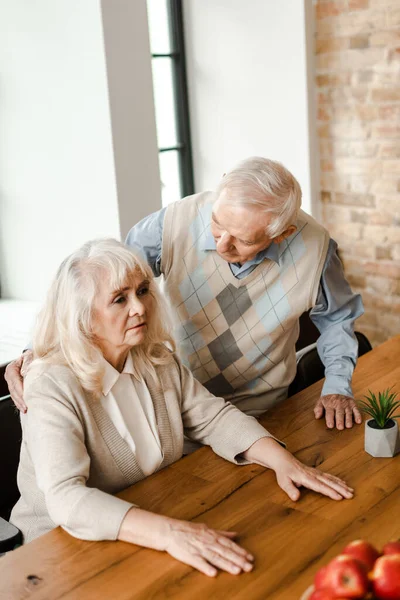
(309, 367)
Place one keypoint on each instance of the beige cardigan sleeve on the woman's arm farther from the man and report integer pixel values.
(55, 441)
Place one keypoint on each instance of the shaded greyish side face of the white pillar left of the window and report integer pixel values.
(130, 84)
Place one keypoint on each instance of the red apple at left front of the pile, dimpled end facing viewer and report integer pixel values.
(346, 577)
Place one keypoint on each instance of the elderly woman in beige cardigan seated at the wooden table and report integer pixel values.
(109, 403)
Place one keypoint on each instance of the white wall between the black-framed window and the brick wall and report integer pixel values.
(247, 74)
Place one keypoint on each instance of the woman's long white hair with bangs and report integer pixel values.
(63, 333)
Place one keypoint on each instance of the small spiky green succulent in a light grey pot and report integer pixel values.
(381, 431)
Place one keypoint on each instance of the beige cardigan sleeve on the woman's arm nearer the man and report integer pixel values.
(215, 422)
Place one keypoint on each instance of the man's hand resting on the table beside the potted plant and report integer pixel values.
(339, 410)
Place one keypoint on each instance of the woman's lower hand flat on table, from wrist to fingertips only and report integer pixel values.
(207, 550)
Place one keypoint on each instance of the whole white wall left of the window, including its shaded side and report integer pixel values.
(58, 184)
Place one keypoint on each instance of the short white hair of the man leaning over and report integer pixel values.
(267, 184)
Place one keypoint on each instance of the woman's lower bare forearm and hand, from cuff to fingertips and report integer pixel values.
(194, 544)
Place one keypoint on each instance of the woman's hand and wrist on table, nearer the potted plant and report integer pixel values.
(292, 474)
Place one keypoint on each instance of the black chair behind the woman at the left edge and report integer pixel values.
(10, 445)
